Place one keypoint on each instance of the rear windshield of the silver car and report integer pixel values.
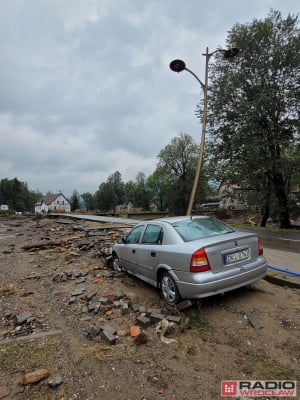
(199, 228)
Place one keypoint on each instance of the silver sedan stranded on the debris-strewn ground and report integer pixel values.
(190, 257)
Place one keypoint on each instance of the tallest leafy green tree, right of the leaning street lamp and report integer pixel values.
(254, 111)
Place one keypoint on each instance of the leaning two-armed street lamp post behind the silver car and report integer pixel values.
(179, 66)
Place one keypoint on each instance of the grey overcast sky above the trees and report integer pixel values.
(86, 89)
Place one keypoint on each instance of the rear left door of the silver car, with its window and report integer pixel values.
(148, 252)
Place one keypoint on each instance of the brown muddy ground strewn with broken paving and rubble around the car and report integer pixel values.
(66, 316)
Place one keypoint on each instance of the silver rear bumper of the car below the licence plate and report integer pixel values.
(211, 288)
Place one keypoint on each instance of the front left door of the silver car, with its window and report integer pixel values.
(128, 251)
